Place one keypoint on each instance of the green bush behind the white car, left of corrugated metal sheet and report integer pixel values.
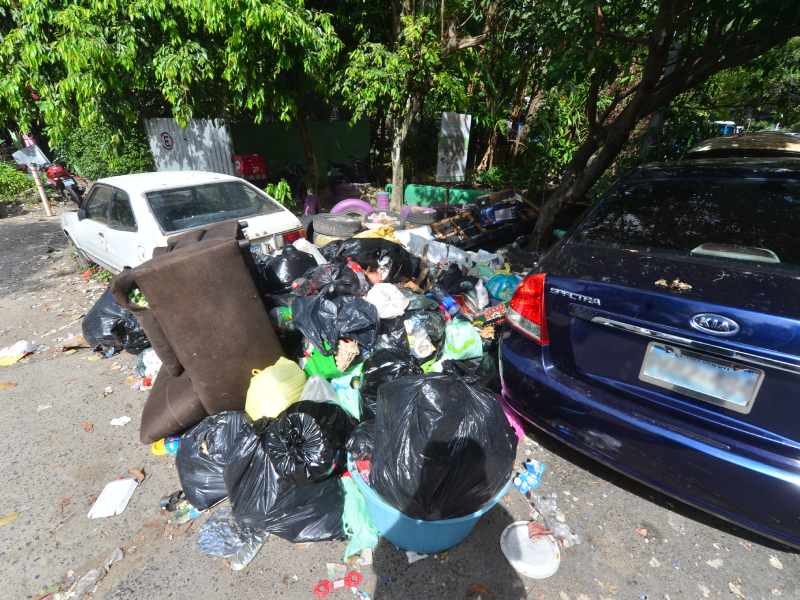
(97, 151)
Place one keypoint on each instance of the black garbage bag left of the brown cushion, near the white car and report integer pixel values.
(109, 326)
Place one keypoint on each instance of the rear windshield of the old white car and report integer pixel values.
(199, 205)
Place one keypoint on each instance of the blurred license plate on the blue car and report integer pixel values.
(700, 376)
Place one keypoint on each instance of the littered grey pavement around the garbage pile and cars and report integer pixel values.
(59, 450)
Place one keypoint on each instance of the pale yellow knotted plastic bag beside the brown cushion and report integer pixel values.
(274, 389)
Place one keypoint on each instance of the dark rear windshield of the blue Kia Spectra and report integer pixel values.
(730, 219)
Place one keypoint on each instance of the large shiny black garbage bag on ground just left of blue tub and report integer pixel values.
(273, 480)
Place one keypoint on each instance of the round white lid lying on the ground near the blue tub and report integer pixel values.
(537, 558)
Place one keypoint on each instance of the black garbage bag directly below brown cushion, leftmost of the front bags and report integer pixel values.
(203, 453)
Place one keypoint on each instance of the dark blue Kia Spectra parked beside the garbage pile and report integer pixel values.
(661, 337)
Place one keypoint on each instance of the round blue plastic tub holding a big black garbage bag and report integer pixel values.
(424, 537)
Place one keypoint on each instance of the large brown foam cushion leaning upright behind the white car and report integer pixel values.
(202, 295)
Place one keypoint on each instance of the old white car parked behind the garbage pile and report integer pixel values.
(122, 219)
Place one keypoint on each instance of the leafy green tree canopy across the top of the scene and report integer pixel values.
(562, 93)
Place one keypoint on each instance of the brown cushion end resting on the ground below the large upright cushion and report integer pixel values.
(171, 407)
